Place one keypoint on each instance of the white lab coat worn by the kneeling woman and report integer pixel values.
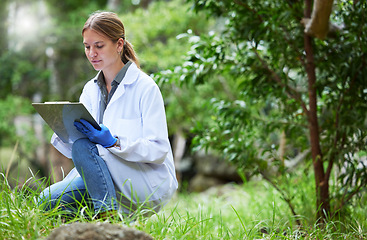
(143, 169)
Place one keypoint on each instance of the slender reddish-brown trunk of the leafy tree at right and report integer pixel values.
(321, 184)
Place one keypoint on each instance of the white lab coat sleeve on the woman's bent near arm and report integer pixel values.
(146, 141)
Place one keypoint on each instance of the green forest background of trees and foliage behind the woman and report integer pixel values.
(241, 79)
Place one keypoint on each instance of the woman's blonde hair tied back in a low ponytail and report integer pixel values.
(109, 24)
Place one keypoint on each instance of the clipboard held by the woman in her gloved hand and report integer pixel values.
(60, 117)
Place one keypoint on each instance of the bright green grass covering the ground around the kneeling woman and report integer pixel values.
(227, 212)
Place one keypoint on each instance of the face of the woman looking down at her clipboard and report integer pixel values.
(101, 52)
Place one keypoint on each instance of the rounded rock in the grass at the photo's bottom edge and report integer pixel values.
(97, 231)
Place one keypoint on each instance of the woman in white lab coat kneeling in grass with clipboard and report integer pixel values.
(128, 162)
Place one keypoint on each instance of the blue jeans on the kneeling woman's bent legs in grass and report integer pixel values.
(93, 184)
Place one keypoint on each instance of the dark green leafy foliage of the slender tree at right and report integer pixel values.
(261, 49)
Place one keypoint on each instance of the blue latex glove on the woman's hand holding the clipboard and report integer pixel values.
(102, 136)
